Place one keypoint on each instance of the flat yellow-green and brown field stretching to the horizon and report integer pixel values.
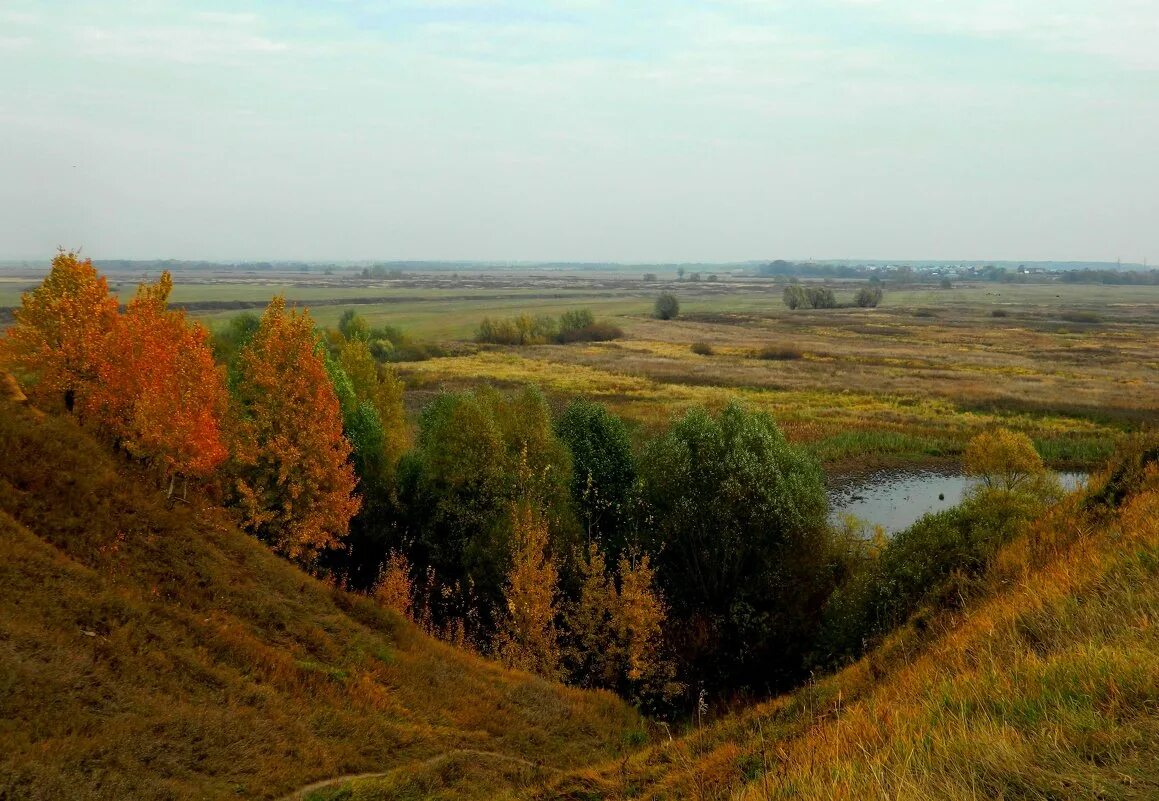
(1073, 366)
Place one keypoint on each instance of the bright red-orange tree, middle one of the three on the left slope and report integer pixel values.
(161, 395)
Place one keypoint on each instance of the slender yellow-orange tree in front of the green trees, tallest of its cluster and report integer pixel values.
(528, 639)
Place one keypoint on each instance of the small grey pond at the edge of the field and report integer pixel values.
(896, 499)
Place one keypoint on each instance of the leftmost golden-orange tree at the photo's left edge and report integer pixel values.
(61, 327)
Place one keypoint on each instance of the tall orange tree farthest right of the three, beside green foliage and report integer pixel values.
(295, 484)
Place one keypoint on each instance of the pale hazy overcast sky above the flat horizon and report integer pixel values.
(581, 130)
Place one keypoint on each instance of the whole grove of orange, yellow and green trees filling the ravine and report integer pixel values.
(696, 564)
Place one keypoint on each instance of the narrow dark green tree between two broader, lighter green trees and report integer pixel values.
(603, 474)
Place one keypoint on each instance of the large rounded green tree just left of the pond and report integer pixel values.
(738, 527)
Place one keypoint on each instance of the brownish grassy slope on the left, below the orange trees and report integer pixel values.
(150, 651)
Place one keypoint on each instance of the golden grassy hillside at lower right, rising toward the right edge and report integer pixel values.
(1047, 688)
